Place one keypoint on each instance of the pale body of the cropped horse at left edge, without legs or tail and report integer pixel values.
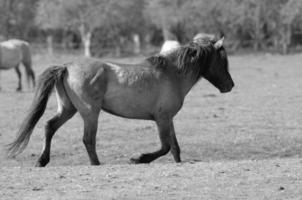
(12, 53)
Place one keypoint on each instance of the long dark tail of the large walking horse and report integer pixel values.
(47, 82)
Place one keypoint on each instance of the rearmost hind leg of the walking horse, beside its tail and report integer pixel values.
(65, 111)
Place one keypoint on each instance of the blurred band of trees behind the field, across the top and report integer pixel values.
(138, 27)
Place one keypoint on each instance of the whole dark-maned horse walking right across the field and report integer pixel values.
(154, 89)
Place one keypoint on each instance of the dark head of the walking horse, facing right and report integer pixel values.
(217, 71)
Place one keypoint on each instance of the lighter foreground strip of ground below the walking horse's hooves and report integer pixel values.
(269, 179)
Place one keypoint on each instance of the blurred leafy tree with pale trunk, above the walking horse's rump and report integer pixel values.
(80, 15)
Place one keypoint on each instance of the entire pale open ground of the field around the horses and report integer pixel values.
(242, 145)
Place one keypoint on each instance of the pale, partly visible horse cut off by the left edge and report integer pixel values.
(12, 53)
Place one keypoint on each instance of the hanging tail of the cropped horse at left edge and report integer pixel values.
(27, 62)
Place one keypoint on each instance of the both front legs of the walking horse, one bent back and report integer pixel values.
(168, 141)
